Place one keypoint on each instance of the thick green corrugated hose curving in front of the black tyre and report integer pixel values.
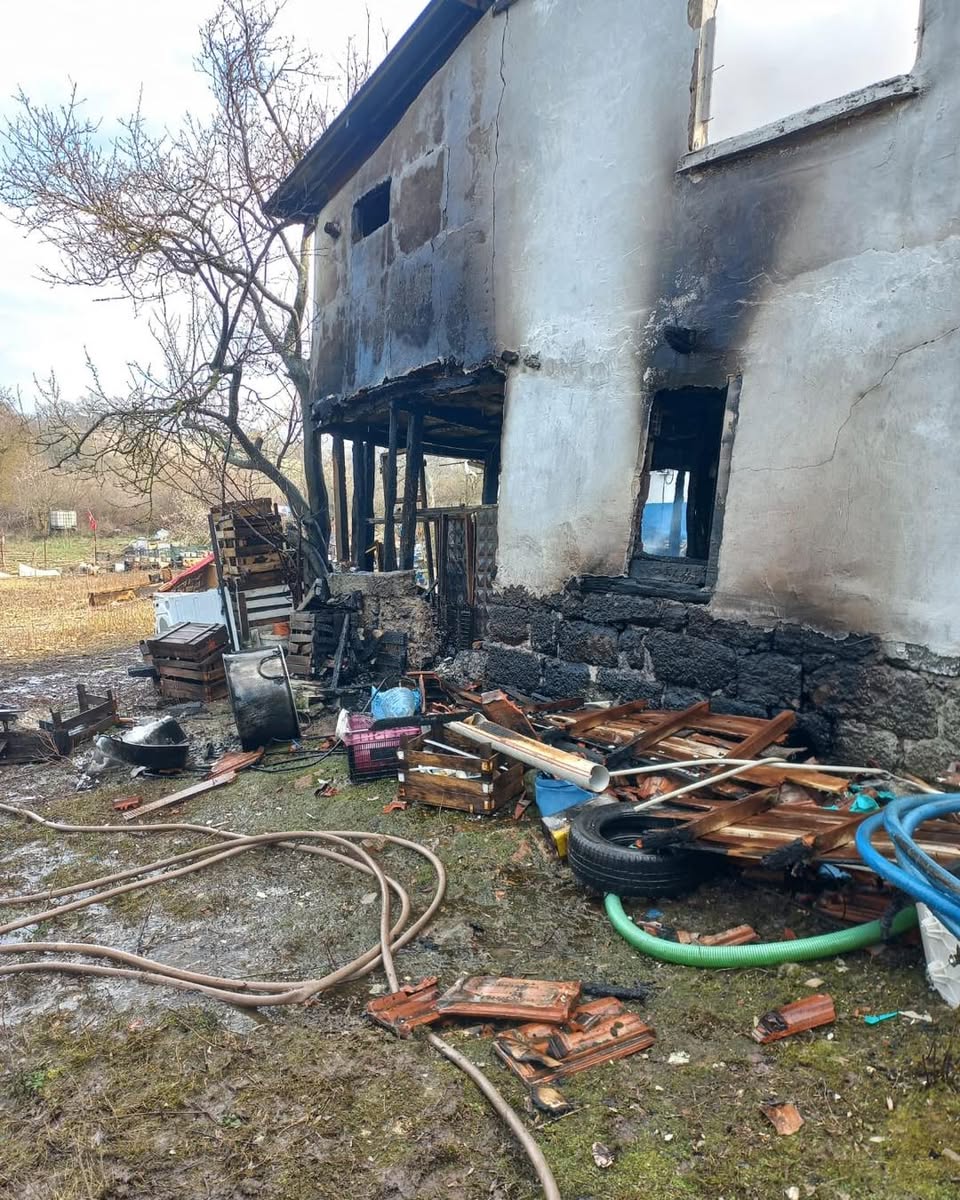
(760, 955)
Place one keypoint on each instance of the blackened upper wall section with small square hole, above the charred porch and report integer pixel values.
(421, 287)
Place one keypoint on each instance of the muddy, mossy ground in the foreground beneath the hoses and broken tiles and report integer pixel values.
(116, 1090)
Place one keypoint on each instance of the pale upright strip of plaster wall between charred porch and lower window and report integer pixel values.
(590, 131)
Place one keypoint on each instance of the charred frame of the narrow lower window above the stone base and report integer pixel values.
(689, 579)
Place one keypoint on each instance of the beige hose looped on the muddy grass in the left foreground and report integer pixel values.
(341, 847)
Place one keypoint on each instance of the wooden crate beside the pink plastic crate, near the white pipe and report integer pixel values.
(499, 783)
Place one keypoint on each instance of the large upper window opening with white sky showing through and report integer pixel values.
(761, 61)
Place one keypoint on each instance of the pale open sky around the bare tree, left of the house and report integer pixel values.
(111, 55)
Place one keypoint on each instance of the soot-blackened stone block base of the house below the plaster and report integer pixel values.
(855, 697)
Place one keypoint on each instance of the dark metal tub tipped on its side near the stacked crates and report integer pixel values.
(261, 698)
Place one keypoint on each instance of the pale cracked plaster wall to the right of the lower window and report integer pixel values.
(845, 494)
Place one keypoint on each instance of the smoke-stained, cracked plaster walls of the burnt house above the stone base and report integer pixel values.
(823, 271)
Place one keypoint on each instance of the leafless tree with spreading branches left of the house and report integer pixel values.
(175, 223)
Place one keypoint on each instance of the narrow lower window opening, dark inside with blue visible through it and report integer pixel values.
(681, 472)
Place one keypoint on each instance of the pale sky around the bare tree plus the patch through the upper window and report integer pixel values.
(772, 58)
